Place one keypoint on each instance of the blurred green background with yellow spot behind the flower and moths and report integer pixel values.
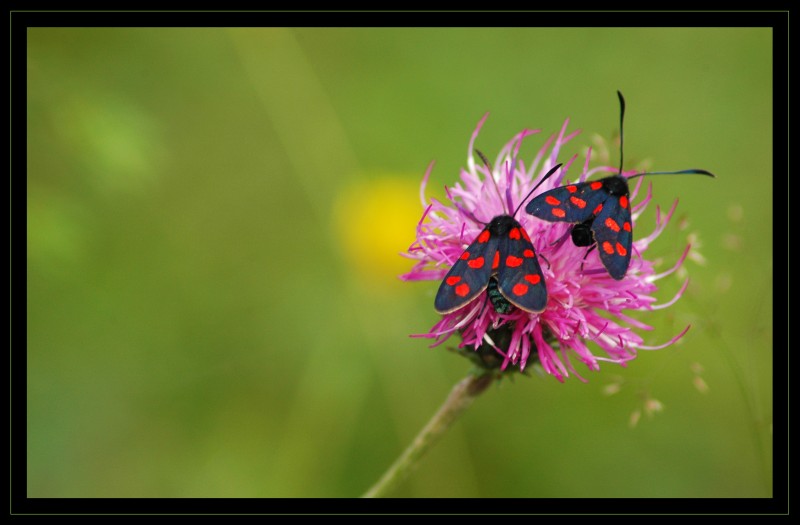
(214, 218)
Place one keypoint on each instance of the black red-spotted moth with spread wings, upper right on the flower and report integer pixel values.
(600, 211)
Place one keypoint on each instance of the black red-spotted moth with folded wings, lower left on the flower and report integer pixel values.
(502, 251)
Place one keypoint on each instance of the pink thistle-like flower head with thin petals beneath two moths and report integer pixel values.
(585, 305)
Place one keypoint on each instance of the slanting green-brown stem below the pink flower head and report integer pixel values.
(461, 397)
